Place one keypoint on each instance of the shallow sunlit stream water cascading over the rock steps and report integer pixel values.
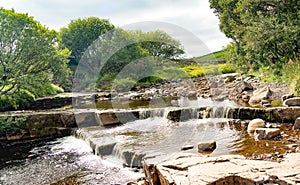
(152, 139)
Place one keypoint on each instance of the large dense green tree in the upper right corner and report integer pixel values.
(264, 33)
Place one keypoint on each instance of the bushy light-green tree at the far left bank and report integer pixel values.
(29, 57)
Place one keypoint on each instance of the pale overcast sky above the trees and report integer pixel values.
(194, 16)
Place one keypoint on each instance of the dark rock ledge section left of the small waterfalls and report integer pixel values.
(30, 125)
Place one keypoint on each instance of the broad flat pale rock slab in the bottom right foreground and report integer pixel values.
(228, 169)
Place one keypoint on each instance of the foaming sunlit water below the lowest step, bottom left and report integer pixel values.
(60, 159)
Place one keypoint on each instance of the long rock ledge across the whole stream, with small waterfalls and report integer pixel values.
(59, 123)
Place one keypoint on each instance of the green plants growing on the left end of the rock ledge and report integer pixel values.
(11, 124)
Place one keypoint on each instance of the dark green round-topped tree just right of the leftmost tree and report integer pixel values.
(81, 33)
